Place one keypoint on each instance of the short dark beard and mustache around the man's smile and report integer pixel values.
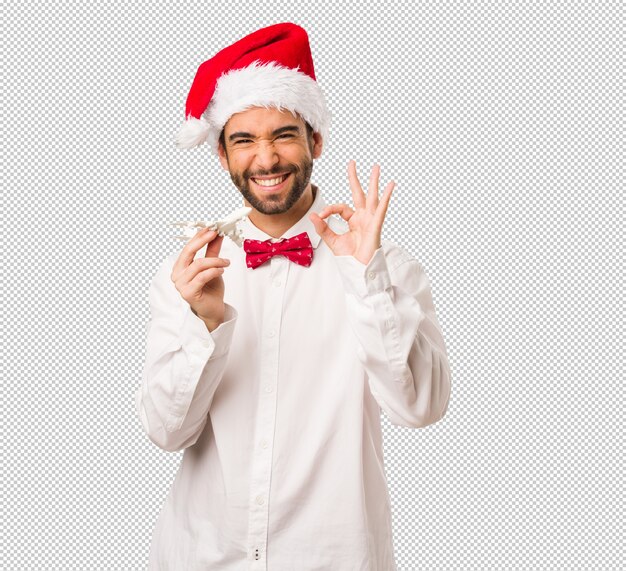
(276, 203)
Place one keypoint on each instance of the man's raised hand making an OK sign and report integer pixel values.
(365, 220)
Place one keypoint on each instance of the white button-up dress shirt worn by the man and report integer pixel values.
(278, 409)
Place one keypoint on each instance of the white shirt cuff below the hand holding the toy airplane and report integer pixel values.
(194, 332)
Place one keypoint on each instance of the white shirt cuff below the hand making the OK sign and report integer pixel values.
(364, 280)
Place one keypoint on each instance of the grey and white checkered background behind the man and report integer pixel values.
(501, 124)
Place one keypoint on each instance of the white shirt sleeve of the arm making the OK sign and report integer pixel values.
(400, 342)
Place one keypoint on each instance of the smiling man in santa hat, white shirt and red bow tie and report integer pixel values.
(269, 365)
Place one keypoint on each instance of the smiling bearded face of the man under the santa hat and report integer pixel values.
(265, 145)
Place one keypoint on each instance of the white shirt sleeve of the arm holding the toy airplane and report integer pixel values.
(184, 364)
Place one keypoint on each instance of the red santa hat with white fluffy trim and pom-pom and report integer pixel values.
(271, 67)
